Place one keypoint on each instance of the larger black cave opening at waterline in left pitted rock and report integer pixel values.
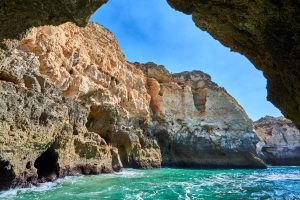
(47, 165)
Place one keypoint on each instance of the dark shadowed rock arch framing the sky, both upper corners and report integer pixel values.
(265, 31)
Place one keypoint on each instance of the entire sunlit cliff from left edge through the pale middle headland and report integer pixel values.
(71, 103)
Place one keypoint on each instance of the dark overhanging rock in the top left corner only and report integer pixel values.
(16, 16)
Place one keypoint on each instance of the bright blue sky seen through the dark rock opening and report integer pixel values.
(150, 30)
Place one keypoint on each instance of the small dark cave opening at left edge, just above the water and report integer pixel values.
(7, 174)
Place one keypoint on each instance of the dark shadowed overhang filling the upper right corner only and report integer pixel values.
(266, 32)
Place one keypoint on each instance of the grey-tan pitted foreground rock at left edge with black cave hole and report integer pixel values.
(43, 135)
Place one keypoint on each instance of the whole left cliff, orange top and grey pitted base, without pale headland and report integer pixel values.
(68, 106)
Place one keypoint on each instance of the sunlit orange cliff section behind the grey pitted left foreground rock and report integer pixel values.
(89, 67)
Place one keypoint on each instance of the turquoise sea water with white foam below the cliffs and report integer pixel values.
(166, 183)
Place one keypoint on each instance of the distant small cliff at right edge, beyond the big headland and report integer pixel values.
(280, 141)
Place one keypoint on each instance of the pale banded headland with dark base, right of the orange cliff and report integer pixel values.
(197, 123)
